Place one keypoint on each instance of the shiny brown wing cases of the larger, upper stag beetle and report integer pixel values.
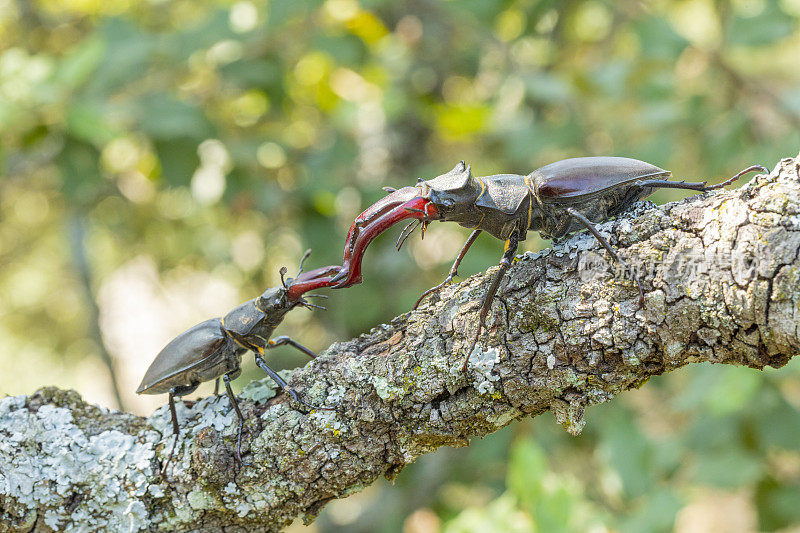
(564, 181)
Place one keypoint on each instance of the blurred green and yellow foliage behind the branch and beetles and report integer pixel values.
(226, 137)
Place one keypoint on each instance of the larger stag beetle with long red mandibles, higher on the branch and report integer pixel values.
(554, 200)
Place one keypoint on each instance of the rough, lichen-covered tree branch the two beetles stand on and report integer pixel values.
(722, 279)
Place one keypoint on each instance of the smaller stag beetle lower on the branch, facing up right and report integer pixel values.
(214, 348)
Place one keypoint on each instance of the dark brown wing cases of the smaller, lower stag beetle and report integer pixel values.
(190, 358)
